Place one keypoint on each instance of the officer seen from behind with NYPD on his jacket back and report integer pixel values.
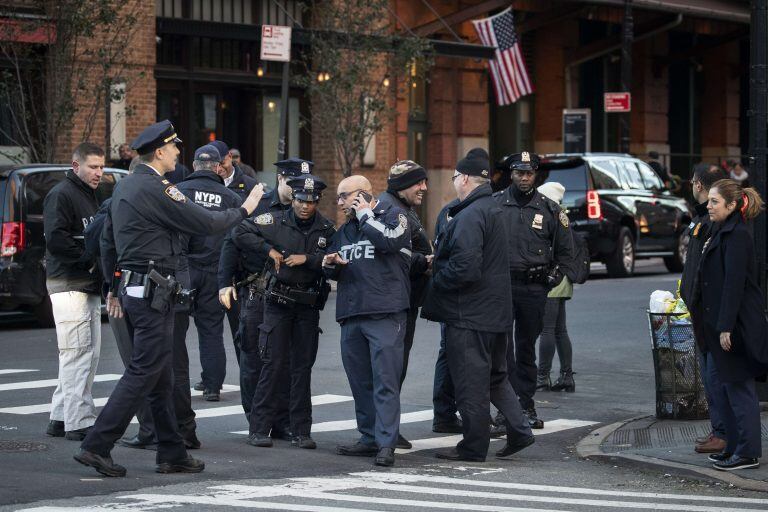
(205, 187)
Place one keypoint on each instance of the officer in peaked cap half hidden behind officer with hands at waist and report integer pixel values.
(235, 266)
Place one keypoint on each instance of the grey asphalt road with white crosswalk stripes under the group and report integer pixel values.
(614, 381)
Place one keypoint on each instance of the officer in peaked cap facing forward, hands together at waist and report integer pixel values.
(294, 292)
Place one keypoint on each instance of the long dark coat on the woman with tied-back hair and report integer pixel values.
(732, 302)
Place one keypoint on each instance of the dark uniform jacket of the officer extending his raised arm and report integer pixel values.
(147, 216)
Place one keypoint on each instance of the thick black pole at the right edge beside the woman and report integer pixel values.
(758, 123)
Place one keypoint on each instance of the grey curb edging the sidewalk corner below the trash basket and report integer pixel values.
(589, 448)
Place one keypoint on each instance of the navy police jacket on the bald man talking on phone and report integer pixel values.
(377, 247)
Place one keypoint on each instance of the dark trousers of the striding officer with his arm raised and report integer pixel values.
(150, 375)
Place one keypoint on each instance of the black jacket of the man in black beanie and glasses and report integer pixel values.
(470, 286)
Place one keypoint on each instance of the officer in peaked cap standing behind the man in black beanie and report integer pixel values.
(538, 241)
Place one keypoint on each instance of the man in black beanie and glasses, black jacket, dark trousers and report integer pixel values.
(469, 286)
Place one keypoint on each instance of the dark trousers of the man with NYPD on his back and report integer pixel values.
(209, 320)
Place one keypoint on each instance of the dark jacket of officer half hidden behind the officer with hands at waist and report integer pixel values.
(234, 264)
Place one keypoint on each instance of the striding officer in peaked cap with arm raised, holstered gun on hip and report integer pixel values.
(147, 214)
